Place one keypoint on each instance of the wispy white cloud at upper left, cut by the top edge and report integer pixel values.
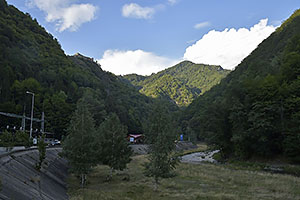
(67, 16)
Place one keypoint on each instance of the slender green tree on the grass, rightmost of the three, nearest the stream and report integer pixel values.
(161, 136)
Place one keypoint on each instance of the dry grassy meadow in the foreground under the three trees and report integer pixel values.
(204, 181)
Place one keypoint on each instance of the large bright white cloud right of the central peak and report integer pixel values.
(229, 47)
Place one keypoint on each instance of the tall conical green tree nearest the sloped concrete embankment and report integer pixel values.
(78, 147)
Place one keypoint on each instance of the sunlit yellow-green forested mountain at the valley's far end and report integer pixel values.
(181, 83)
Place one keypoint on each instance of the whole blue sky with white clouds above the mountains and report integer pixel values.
(144, 37)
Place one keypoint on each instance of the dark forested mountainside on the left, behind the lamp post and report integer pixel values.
(32, 60)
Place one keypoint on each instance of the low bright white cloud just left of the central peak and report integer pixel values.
(138, 61)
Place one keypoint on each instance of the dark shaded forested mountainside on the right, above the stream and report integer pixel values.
(255, 110)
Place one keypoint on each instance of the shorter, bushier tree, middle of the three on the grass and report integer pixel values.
(115, 151)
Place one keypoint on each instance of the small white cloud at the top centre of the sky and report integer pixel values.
(134, 10)
